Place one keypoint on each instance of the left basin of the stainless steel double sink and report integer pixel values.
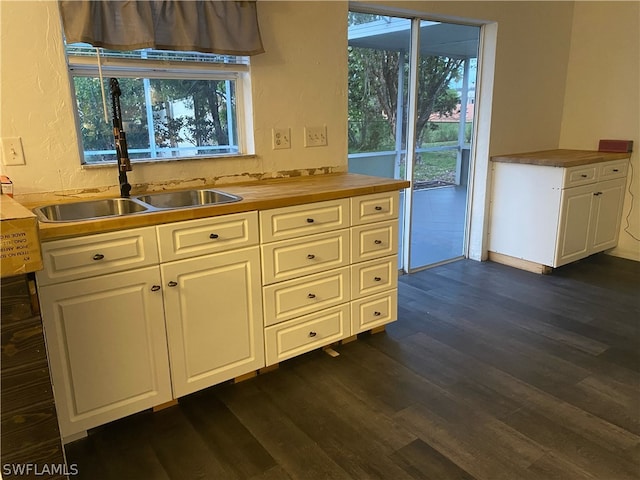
(110, 207)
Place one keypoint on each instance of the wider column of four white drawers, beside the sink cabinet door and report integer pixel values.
(305, 269)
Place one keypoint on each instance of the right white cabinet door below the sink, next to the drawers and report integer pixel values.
(214, 318)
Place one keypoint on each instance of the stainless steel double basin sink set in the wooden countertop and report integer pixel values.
(113, 207)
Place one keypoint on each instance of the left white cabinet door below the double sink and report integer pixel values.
(107, 347)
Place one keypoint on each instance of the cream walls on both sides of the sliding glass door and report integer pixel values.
(559, 65)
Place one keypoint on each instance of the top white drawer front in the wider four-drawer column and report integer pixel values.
(289, 222)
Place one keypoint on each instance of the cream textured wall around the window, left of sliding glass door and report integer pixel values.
(300, 81)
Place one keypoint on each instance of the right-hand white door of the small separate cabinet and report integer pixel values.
(607, 214)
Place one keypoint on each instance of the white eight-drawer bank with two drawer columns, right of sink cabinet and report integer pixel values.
(332, 273)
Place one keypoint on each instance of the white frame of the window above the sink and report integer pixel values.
(104, 66)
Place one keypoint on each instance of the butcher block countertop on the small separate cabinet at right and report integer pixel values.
(560, 158)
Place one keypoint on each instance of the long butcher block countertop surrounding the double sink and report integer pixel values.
(260, 195)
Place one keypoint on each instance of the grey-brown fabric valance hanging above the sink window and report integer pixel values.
(224, 27)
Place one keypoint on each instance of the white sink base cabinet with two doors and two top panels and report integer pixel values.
(111, 310)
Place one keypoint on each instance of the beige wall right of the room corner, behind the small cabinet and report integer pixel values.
(602, 99)
